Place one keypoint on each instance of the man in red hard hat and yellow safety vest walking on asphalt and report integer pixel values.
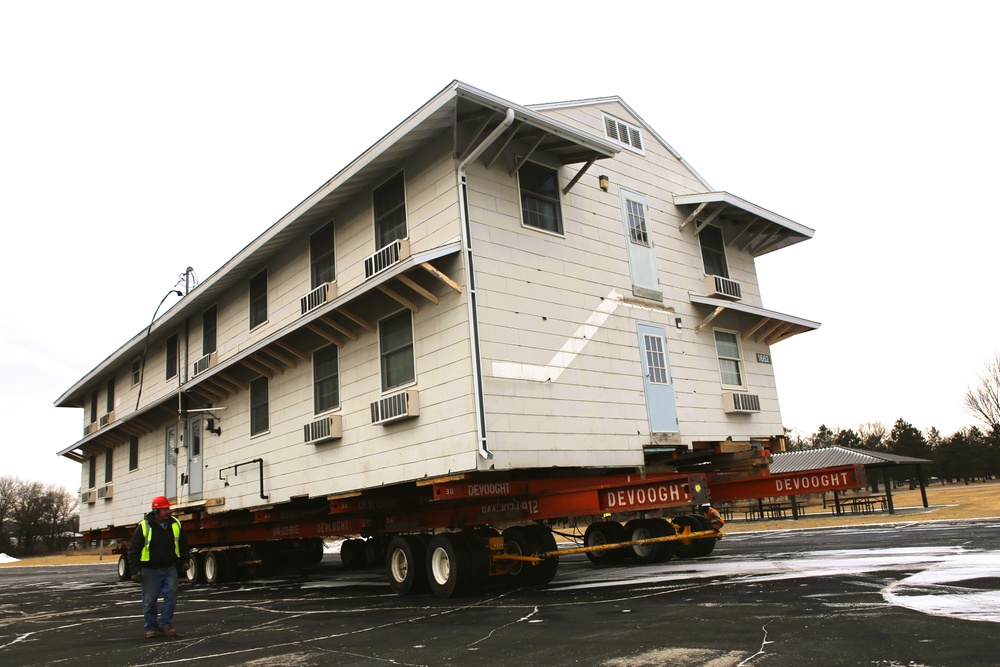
(157, 554)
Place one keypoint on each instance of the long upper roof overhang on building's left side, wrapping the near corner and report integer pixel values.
(457, 103)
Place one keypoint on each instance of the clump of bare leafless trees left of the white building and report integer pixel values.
(35, 516)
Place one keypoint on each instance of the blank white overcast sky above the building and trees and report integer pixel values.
(142, 138)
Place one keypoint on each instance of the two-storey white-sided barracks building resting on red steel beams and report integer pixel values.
(489, 287)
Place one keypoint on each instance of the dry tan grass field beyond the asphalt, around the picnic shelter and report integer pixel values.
(947, 501)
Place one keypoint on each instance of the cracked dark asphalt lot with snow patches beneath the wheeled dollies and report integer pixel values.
(914, 594)
